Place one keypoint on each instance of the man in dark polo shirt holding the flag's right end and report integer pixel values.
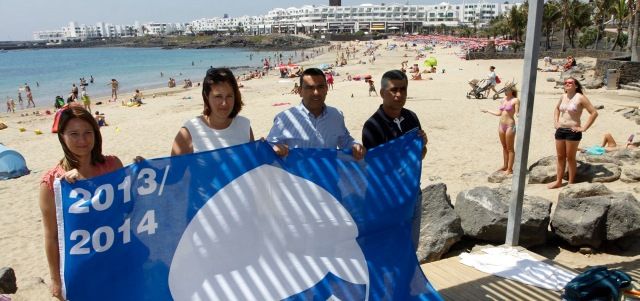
(391, 121)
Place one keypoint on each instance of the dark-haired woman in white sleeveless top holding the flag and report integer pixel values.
(219, 125)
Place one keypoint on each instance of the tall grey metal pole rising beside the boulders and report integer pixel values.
(529, 75)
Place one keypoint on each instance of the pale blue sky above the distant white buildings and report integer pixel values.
(20, 18)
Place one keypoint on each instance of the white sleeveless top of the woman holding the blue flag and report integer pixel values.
(204, 138)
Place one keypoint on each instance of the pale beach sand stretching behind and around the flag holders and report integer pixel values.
(462, 140)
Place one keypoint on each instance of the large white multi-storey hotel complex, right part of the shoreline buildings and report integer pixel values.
(367, 17)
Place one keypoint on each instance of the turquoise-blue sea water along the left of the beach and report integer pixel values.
(51, 72)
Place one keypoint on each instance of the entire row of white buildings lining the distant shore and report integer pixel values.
(305, 19)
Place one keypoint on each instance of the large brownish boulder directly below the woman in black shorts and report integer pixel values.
(581, 221)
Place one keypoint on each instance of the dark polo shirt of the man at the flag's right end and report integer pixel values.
(381, 129)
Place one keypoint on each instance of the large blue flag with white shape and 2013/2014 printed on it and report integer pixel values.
(241, 223)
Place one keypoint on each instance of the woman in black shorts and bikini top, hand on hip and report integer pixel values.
(566, 117)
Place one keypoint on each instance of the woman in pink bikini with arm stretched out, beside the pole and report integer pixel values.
(507, 127)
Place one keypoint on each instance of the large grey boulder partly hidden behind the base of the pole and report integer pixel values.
(484, 212)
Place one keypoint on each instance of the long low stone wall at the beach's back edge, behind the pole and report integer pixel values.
(556, 54)
